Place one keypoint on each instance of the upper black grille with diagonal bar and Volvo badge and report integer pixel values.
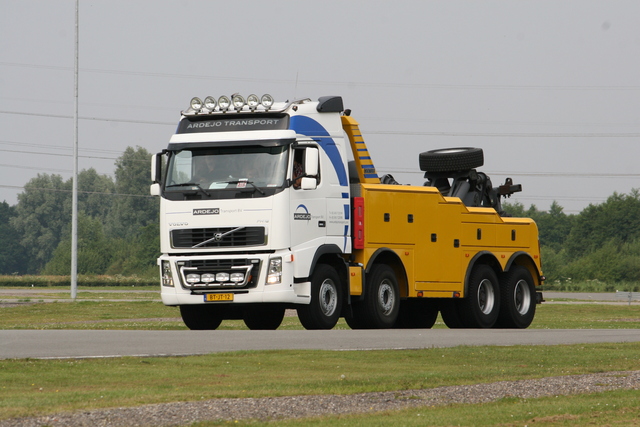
(221, 237)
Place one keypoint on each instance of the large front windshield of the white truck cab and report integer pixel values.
(241, 169)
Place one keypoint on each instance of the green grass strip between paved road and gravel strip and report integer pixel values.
(35, 387)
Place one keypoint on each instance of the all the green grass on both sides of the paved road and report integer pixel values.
(37, 387)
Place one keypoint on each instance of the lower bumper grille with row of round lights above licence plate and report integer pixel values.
(250, 267)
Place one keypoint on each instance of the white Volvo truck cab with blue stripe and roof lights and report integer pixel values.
(251, 198)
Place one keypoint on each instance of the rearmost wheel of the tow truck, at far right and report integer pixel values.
(518, 299)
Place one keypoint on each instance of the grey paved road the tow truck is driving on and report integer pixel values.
(90, 343)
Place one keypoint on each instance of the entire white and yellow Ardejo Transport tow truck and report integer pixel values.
(267, 206)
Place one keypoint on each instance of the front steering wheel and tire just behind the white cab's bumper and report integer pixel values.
(327, 298)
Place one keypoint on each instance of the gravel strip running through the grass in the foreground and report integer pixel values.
(270, 408)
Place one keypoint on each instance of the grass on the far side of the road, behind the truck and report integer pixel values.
(153, 315)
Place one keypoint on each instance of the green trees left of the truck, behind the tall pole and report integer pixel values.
(117, 223)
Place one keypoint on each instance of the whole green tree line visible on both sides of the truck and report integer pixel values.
(118, 229)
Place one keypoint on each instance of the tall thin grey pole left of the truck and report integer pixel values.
(74, 202)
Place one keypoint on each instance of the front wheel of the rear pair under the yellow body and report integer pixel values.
(481, 306)
